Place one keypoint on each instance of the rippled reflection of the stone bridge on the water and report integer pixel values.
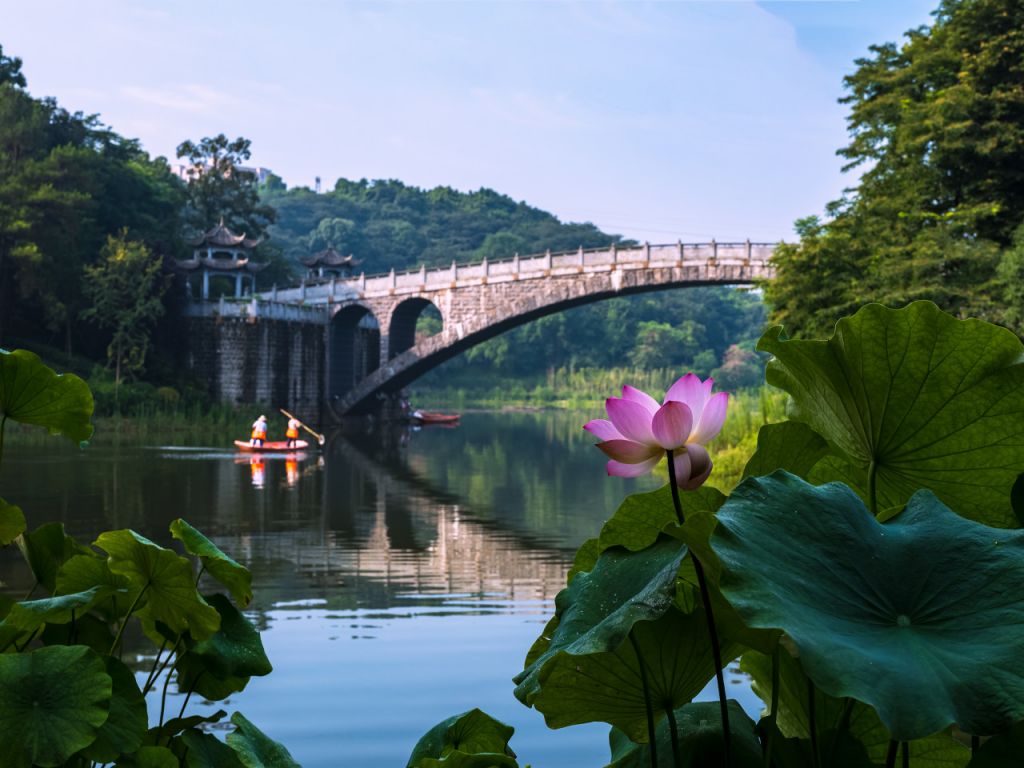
(403, 539)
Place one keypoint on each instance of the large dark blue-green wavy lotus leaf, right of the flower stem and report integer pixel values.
(929, 634)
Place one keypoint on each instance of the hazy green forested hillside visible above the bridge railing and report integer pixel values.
(387, 224)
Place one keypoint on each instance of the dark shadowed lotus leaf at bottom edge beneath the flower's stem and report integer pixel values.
(699, 730)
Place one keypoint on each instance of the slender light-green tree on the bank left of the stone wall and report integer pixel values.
(125, 291)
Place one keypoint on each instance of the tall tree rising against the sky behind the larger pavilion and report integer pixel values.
(219, 189)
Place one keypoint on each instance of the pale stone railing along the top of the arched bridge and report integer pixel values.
(530, 268)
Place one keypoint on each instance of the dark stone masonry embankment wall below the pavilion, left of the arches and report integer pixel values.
(279, 364)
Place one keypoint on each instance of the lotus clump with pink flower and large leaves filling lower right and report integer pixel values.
(860, 572)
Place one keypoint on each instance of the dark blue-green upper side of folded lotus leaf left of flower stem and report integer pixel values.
(599, 609)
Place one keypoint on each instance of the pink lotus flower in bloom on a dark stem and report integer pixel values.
(639, 431)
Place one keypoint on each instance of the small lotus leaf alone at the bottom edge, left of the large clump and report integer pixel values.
(473, 740)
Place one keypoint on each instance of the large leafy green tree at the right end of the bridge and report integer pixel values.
(937, 132)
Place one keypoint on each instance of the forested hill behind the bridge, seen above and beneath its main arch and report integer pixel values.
(391, 225)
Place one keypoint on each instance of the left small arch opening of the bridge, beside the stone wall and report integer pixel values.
(354, 349)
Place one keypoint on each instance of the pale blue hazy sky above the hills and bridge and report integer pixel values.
(658, 120)
